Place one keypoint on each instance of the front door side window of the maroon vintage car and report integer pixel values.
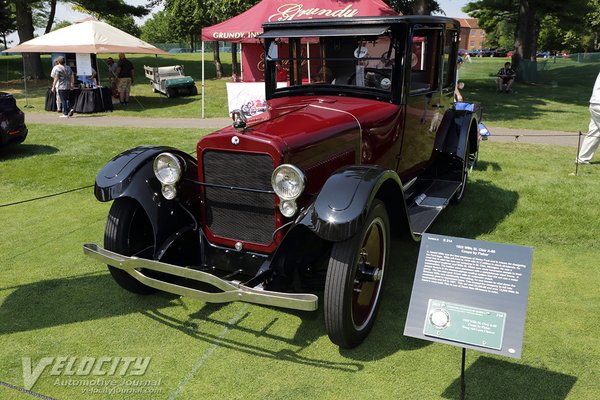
(424, 60)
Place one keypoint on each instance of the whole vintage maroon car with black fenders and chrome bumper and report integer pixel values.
(361, 142)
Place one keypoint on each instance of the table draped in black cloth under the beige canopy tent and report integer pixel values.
(86, 100)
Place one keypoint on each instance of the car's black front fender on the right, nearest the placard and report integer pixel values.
(343, 203)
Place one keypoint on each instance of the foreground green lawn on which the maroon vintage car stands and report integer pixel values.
(55, 302)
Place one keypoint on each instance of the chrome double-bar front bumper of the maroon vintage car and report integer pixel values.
(231, 291)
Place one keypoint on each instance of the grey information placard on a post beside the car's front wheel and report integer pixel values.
(471, 294)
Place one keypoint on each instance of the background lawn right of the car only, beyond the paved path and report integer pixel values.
(558, 101)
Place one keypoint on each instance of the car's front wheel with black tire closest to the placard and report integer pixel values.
(355, 278)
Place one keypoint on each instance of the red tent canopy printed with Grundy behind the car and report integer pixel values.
(246, 26)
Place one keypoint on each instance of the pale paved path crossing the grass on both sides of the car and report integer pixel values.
(498, 134)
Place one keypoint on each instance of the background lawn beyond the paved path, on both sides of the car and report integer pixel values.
(559, 101)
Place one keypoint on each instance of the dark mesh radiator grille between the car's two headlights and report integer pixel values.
(237, 214)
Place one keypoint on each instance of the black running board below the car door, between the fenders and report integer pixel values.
(429, 204)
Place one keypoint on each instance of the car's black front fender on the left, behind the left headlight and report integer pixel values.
(130, 174)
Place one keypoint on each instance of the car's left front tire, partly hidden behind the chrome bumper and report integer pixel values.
(128, 232)
